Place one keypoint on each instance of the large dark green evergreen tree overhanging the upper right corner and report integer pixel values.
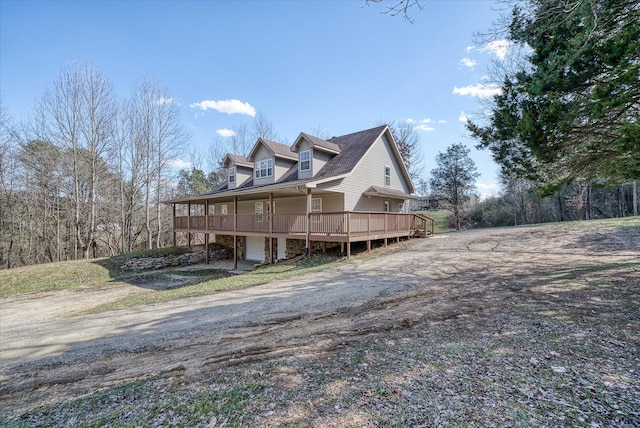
(570, 112)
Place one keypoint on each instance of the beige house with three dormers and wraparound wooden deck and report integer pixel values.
(281, 201)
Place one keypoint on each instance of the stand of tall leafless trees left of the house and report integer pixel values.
(86, 176)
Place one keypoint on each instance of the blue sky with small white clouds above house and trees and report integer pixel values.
(334, 66)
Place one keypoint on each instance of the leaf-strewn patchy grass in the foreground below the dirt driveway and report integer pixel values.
(544, 346)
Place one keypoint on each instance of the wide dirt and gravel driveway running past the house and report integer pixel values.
(47, 358)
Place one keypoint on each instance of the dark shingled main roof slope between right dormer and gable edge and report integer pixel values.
(352, 148)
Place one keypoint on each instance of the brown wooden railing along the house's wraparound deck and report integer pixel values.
(345, 224)
